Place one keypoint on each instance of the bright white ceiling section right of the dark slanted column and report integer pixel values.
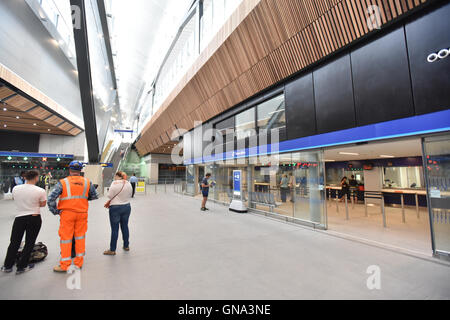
(141, 31)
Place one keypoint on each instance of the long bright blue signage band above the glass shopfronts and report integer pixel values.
(423, 124)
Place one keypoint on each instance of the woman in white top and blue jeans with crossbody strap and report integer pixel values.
(119, 194)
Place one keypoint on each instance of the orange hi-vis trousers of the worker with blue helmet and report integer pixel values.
(73, 224)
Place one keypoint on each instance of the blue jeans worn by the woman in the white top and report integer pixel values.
(119, 216)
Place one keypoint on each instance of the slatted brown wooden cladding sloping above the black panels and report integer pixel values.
(275, 40)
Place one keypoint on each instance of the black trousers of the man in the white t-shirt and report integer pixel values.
(29, 225)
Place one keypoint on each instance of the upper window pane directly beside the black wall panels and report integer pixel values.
(271, 114)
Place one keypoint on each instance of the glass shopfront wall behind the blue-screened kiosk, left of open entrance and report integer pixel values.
(291, 185)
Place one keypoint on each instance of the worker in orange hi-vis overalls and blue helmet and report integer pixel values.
(74, 194)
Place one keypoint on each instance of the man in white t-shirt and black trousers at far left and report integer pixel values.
(29, 199)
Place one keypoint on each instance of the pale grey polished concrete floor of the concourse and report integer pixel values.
(179, 252)
